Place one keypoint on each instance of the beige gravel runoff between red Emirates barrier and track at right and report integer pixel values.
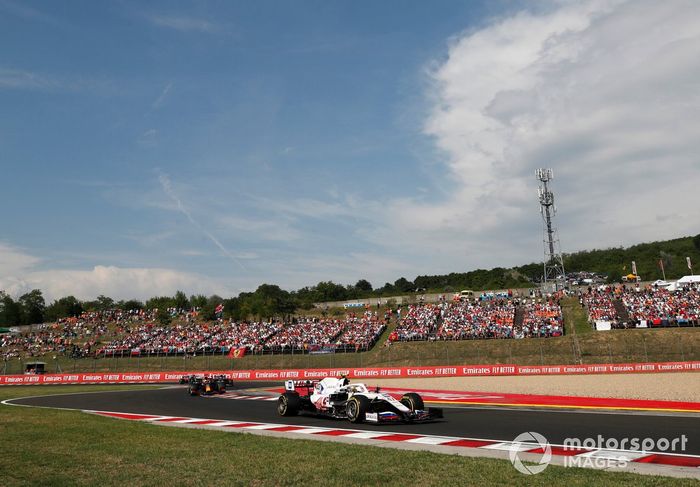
(682, 386)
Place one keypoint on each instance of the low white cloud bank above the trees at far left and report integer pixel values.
(20, 275)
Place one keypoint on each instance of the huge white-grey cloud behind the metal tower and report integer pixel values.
(604, 92)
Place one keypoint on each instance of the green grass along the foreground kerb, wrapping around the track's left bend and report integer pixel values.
(53, 447)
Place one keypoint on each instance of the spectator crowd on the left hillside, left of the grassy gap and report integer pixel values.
(136, 333)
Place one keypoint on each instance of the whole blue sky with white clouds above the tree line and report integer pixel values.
(214, 146)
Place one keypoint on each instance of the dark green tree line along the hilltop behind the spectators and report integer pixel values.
(269, 300)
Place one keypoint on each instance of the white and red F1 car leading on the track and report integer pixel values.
(337, 398)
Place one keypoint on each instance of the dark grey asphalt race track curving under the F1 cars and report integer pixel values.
(467, 422)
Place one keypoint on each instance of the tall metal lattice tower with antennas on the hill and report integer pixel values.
(554, 277)
